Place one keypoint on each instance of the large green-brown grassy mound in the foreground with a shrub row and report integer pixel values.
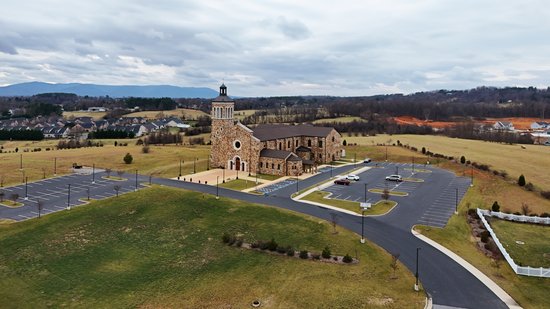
(161, 247)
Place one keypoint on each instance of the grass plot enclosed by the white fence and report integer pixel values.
(535, 251)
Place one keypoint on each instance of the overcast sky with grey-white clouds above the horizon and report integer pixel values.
(287, 47)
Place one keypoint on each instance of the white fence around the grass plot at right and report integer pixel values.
(520, 270)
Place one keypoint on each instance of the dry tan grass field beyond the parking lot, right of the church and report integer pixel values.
(511, 158)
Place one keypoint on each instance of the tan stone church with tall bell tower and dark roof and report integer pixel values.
(285, 150)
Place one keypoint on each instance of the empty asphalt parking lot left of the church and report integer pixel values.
(60, 193)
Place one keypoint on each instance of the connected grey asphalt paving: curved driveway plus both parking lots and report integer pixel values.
(447, 282)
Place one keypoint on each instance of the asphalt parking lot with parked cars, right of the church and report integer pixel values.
(432, 194)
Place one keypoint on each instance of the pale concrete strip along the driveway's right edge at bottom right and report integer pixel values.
(488, 282)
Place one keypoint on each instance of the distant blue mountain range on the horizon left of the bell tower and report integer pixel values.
(153, 91)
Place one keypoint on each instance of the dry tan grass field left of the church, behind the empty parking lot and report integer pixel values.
(160, 161)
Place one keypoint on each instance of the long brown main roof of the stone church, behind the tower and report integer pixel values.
(273, 131)
